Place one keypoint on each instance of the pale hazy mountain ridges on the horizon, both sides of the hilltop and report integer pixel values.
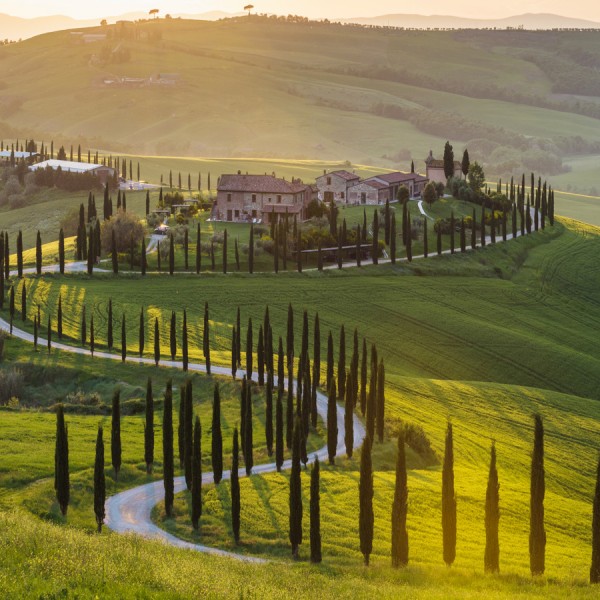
(15, 28)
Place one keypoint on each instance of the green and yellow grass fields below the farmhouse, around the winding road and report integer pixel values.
(485, 339)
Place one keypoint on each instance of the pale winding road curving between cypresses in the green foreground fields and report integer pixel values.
(130, 511)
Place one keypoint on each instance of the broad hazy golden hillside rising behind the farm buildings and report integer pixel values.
(258, 87)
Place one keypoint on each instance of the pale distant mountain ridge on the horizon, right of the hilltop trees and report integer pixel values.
(527, 21)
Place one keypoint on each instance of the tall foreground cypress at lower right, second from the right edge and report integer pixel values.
(537, 533)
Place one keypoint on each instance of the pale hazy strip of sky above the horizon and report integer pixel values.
(589, 9)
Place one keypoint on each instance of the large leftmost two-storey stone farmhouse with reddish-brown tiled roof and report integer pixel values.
(244, 198)
